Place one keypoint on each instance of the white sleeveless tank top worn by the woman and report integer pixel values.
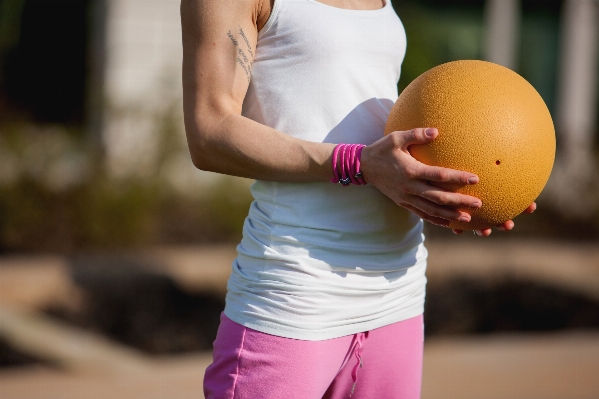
(318, 260)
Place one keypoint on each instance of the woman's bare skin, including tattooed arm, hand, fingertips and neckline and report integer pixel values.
(221, 140)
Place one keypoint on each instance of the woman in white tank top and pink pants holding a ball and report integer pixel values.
(329, 281)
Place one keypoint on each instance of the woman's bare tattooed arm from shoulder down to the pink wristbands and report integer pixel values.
(217, 62)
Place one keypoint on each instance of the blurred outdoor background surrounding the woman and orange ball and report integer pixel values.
(115, 250)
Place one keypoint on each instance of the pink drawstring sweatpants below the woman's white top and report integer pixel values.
(381, 363)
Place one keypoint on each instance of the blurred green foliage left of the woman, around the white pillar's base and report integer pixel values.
(48, 203)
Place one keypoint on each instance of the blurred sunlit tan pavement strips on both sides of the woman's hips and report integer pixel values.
(561, 365)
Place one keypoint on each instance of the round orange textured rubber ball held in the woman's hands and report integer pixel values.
(491, 122)
